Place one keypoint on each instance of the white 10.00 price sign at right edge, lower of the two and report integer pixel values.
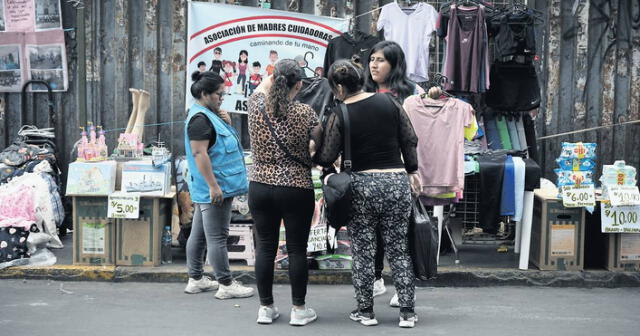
(622, 219)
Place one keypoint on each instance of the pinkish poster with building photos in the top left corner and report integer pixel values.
(32, 45)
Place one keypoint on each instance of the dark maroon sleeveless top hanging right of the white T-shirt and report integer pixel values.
(467, 48)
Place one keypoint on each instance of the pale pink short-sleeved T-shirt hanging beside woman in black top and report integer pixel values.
(440, 125)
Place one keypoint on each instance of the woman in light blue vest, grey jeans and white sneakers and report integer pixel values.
(217, 174)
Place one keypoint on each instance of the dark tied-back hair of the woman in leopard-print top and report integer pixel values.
(286, 75)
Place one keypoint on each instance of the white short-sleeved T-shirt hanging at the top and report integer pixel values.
(412, 31)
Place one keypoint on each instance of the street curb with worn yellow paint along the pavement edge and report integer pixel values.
(447, 276)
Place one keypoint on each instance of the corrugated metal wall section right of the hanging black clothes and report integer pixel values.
(590, 72)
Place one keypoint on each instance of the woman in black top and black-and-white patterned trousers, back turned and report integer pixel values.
(381, 184)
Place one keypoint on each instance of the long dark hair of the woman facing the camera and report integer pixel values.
(397, 80)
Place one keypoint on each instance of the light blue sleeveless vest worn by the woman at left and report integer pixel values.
(226, 157)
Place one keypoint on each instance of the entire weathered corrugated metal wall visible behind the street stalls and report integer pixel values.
(587, 80)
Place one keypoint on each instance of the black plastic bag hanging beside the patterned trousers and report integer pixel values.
(423, 243)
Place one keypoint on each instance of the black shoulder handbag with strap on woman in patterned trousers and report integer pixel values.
(337, 190)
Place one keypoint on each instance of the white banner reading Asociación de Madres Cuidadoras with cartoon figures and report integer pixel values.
(243, 43)
